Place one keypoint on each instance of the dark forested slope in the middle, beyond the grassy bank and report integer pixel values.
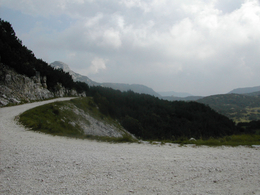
(149, 117)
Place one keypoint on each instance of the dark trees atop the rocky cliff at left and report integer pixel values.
(22, 60)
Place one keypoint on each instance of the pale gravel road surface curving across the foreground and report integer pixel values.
(35, 163)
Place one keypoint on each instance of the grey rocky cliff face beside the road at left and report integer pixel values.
(16, 88)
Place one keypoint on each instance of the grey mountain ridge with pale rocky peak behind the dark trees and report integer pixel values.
(117, 86)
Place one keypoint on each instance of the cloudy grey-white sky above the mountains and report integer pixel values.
(203, 47)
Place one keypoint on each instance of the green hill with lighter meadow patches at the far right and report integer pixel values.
(239, 107)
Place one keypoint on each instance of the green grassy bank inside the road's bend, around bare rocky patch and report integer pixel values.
(58, 118)
